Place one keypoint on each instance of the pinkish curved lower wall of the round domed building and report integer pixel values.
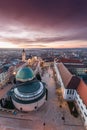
(29, 107)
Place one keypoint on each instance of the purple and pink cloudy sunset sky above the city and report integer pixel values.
(43, 23)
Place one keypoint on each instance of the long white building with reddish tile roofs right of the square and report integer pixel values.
(73, 89)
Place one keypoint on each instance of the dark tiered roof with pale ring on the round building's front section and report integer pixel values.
(29, 92)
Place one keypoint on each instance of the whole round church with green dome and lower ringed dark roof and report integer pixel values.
(29, 93)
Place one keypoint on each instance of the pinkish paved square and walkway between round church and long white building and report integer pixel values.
(49, 117)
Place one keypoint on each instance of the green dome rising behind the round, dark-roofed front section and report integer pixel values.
(25, 74)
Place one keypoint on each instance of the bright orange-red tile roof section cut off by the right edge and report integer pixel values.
(82, 91)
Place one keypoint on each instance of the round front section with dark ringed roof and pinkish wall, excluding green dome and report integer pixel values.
(29, 96)
